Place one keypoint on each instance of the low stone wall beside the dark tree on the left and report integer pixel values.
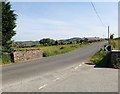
(27, 55)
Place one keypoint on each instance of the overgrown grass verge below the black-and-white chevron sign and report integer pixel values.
(103, 59)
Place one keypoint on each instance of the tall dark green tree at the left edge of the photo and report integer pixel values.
(8, 26)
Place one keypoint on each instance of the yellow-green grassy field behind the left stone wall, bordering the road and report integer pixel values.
(58, 49)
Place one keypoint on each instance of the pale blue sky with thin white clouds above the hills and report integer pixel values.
(62, 20)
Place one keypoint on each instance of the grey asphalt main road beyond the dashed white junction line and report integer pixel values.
(22, 72)
